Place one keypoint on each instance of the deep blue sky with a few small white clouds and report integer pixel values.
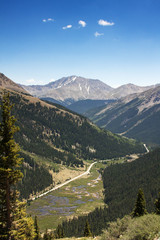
(115, 41)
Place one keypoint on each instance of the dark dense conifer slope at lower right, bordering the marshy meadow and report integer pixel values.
(121, 183)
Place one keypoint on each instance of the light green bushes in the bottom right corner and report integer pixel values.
(146, 227)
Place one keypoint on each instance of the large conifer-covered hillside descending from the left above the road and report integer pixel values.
(65, 137)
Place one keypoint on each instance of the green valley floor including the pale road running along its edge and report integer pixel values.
(75, 197)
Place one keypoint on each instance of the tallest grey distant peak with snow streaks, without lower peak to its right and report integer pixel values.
(71, 89)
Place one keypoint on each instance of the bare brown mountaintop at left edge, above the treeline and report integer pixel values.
(7, 83)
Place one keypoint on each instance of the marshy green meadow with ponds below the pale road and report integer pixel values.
(75, 199)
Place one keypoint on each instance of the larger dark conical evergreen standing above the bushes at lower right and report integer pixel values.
(140, 205)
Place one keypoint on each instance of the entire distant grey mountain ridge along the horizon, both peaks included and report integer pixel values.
(68, 90)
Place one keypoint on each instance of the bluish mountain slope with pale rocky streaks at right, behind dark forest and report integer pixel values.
(135, 116)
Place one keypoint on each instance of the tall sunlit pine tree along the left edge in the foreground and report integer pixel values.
(14, 223)
